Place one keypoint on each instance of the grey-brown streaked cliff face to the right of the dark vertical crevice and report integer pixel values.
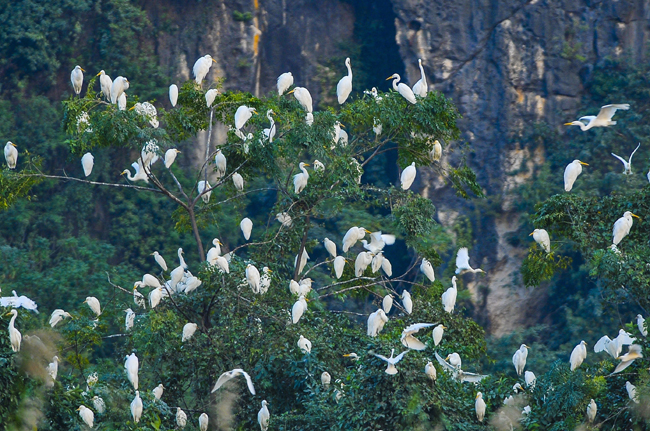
(507, 64)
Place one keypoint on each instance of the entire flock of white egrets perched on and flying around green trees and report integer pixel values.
(181, 281)
